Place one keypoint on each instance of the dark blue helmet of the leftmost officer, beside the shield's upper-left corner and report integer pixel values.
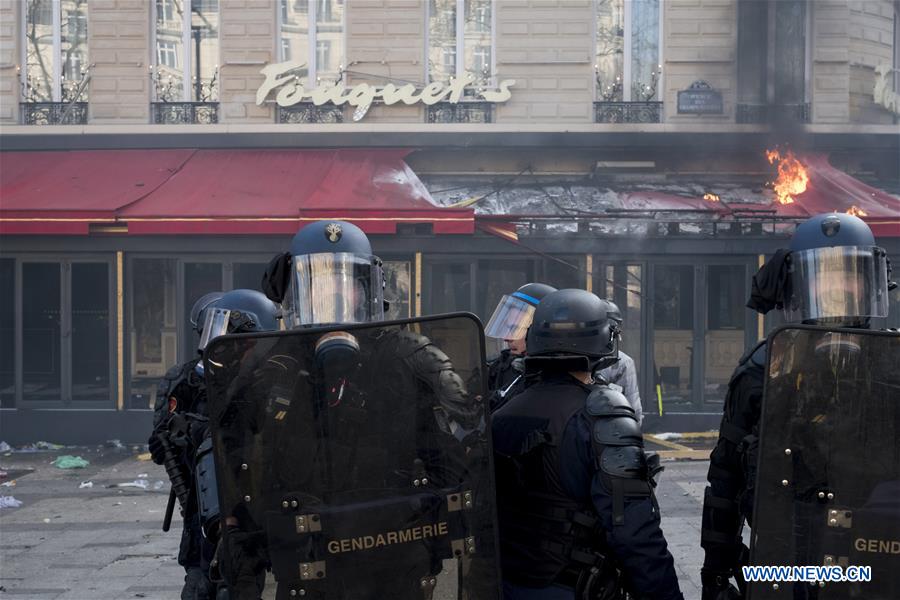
(237, 311)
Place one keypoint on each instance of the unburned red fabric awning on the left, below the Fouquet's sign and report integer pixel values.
(215, 191)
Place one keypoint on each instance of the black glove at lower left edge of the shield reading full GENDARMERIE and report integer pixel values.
(242, 563)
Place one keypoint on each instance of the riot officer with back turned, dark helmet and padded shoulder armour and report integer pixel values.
(578, 517)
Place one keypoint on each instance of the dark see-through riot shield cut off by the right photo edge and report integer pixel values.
(828, 485)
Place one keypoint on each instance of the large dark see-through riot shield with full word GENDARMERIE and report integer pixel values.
(355, 462)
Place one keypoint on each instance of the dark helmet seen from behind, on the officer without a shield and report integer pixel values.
(575, 322)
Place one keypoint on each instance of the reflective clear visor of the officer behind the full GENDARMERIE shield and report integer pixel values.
(334, 288)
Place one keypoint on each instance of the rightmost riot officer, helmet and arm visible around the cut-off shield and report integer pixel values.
(833, 275)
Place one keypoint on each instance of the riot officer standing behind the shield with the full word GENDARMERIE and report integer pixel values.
(316, 410)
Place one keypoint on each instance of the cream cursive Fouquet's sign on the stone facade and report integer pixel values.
(283, 80)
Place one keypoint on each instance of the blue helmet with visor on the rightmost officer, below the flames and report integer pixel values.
(836, 273)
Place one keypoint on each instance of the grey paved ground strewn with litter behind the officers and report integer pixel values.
(80, 535)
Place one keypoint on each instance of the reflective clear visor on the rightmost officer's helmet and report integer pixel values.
(843, 282)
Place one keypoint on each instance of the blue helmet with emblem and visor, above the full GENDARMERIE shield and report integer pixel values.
(333, 277)
